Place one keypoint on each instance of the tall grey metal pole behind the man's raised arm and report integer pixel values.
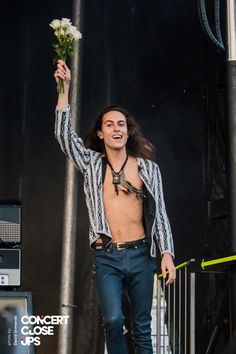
(65, 339)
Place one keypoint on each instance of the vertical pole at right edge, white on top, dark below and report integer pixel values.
(231, 140)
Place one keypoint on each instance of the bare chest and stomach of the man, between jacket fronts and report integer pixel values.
(124, 212)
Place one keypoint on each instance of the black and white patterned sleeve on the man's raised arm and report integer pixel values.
(71, 144)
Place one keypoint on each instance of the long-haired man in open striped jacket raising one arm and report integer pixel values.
(128, 220)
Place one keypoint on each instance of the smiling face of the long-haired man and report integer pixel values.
(114, 130)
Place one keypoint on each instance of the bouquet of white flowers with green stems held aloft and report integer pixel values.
(66, 34)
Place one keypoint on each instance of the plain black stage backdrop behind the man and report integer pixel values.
(150, 57)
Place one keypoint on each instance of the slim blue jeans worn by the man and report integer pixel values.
(131, 271)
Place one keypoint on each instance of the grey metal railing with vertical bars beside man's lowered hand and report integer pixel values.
(173, 313)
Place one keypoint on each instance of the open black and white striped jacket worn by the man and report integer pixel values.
(91, 164)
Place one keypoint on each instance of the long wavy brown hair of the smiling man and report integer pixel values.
(136, 146)
